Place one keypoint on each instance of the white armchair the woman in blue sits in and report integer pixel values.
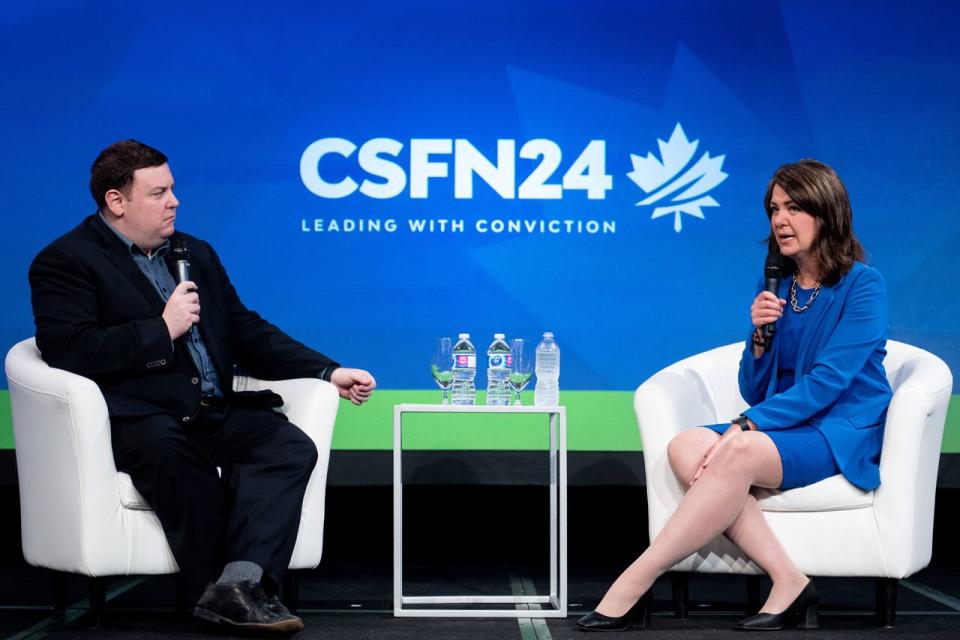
(830, 528)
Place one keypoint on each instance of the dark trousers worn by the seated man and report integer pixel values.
(251, 512)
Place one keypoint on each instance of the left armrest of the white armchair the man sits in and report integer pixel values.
(67, 475)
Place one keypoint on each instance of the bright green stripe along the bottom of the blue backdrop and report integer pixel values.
(596, 421)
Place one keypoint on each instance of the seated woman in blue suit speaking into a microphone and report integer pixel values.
(818, 396)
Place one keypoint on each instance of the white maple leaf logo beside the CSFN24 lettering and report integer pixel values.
(662, 178)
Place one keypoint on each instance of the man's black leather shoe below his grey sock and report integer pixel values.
(244, 608)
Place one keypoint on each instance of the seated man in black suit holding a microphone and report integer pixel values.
(106, 306)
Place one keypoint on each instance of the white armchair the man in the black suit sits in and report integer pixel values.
(80, 515)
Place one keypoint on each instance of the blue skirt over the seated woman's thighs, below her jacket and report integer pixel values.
(804, 454)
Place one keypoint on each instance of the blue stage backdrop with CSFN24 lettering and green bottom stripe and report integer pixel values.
(377, 174)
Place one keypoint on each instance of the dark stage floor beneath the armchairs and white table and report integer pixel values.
(358, 605)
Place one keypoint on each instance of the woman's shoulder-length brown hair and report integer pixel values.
(817, 189)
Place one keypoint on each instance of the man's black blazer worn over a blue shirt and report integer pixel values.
(97, 315)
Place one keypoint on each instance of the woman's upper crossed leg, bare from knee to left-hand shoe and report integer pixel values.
(708, 509)
